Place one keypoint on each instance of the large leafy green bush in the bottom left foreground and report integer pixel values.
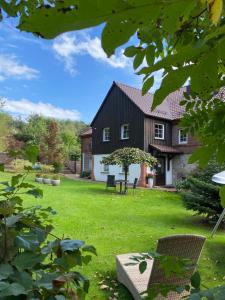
(34, 263)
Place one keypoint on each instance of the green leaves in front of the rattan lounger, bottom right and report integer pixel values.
(179, 267)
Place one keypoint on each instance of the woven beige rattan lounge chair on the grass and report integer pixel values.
(183, 246)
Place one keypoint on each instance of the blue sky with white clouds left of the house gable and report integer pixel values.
(66, 78)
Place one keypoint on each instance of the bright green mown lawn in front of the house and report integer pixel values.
(117, 224)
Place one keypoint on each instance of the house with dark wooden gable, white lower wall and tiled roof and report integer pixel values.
(125, 119)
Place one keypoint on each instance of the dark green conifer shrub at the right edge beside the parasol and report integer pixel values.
(200, 194)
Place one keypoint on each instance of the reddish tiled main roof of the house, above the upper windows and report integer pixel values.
(169, 109)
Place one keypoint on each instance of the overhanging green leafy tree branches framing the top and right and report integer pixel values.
(185, 40)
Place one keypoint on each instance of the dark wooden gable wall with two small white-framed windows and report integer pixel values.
(117, 110)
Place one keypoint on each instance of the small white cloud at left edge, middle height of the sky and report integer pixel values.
(10, 67)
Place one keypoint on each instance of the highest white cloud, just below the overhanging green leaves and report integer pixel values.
(68, 46)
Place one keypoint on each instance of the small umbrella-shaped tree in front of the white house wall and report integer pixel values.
(126, 156)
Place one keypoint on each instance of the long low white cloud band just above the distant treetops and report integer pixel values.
(25, 107)
